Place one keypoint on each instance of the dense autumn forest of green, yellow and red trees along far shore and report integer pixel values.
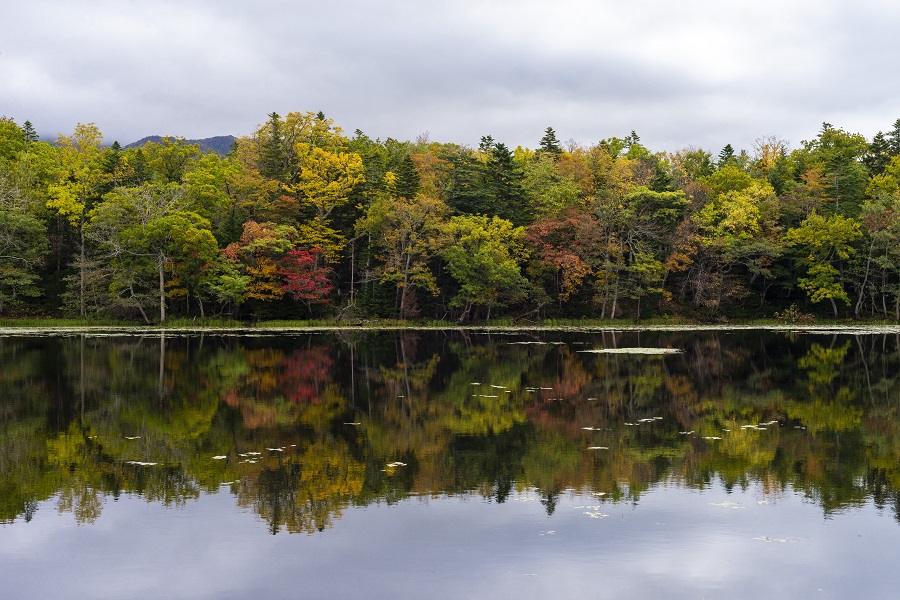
(301, 221)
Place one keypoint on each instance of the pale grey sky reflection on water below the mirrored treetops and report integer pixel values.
(675, 543)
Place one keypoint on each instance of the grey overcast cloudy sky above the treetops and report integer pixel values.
(697, 73)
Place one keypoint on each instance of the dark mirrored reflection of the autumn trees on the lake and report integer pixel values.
(300, 427)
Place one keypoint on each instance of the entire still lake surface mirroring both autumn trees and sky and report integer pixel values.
(752, 464)
